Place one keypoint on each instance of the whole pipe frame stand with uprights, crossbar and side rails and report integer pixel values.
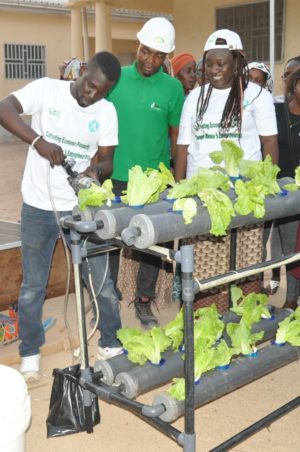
(151, 413)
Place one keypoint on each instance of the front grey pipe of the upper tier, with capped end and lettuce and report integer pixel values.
(160, 228)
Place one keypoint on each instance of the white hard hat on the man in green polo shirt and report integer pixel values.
(158, 34)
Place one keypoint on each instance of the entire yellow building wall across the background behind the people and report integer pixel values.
(194, 20)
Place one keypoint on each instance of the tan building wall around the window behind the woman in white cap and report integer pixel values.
(194, 21)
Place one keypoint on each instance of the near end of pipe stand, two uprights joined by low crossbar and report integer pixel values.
(148, 413)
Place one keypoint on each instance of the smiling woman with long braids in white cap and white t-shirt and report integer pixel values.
(228, 106)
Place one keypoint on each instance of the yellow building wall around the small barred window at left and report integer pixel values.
(53, 31)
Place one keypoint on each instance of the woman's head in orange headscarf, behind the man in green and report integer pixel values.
(184, 68)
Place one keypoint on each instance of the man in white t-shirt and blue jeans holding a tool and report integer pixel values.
(68, 119)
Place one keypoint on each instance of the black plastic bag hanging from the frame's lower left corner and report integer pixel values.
(66, 410)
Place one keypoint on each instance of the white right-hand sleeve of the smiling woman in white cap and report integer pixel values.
(264, 114)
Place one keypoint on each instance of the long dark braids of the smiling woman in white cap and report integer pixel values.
(232, 113)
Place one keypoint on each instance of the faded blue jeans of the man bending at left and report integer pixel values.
(39, 233)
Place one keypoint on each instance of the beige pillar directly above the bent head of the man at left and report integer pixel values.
(103, 39)
